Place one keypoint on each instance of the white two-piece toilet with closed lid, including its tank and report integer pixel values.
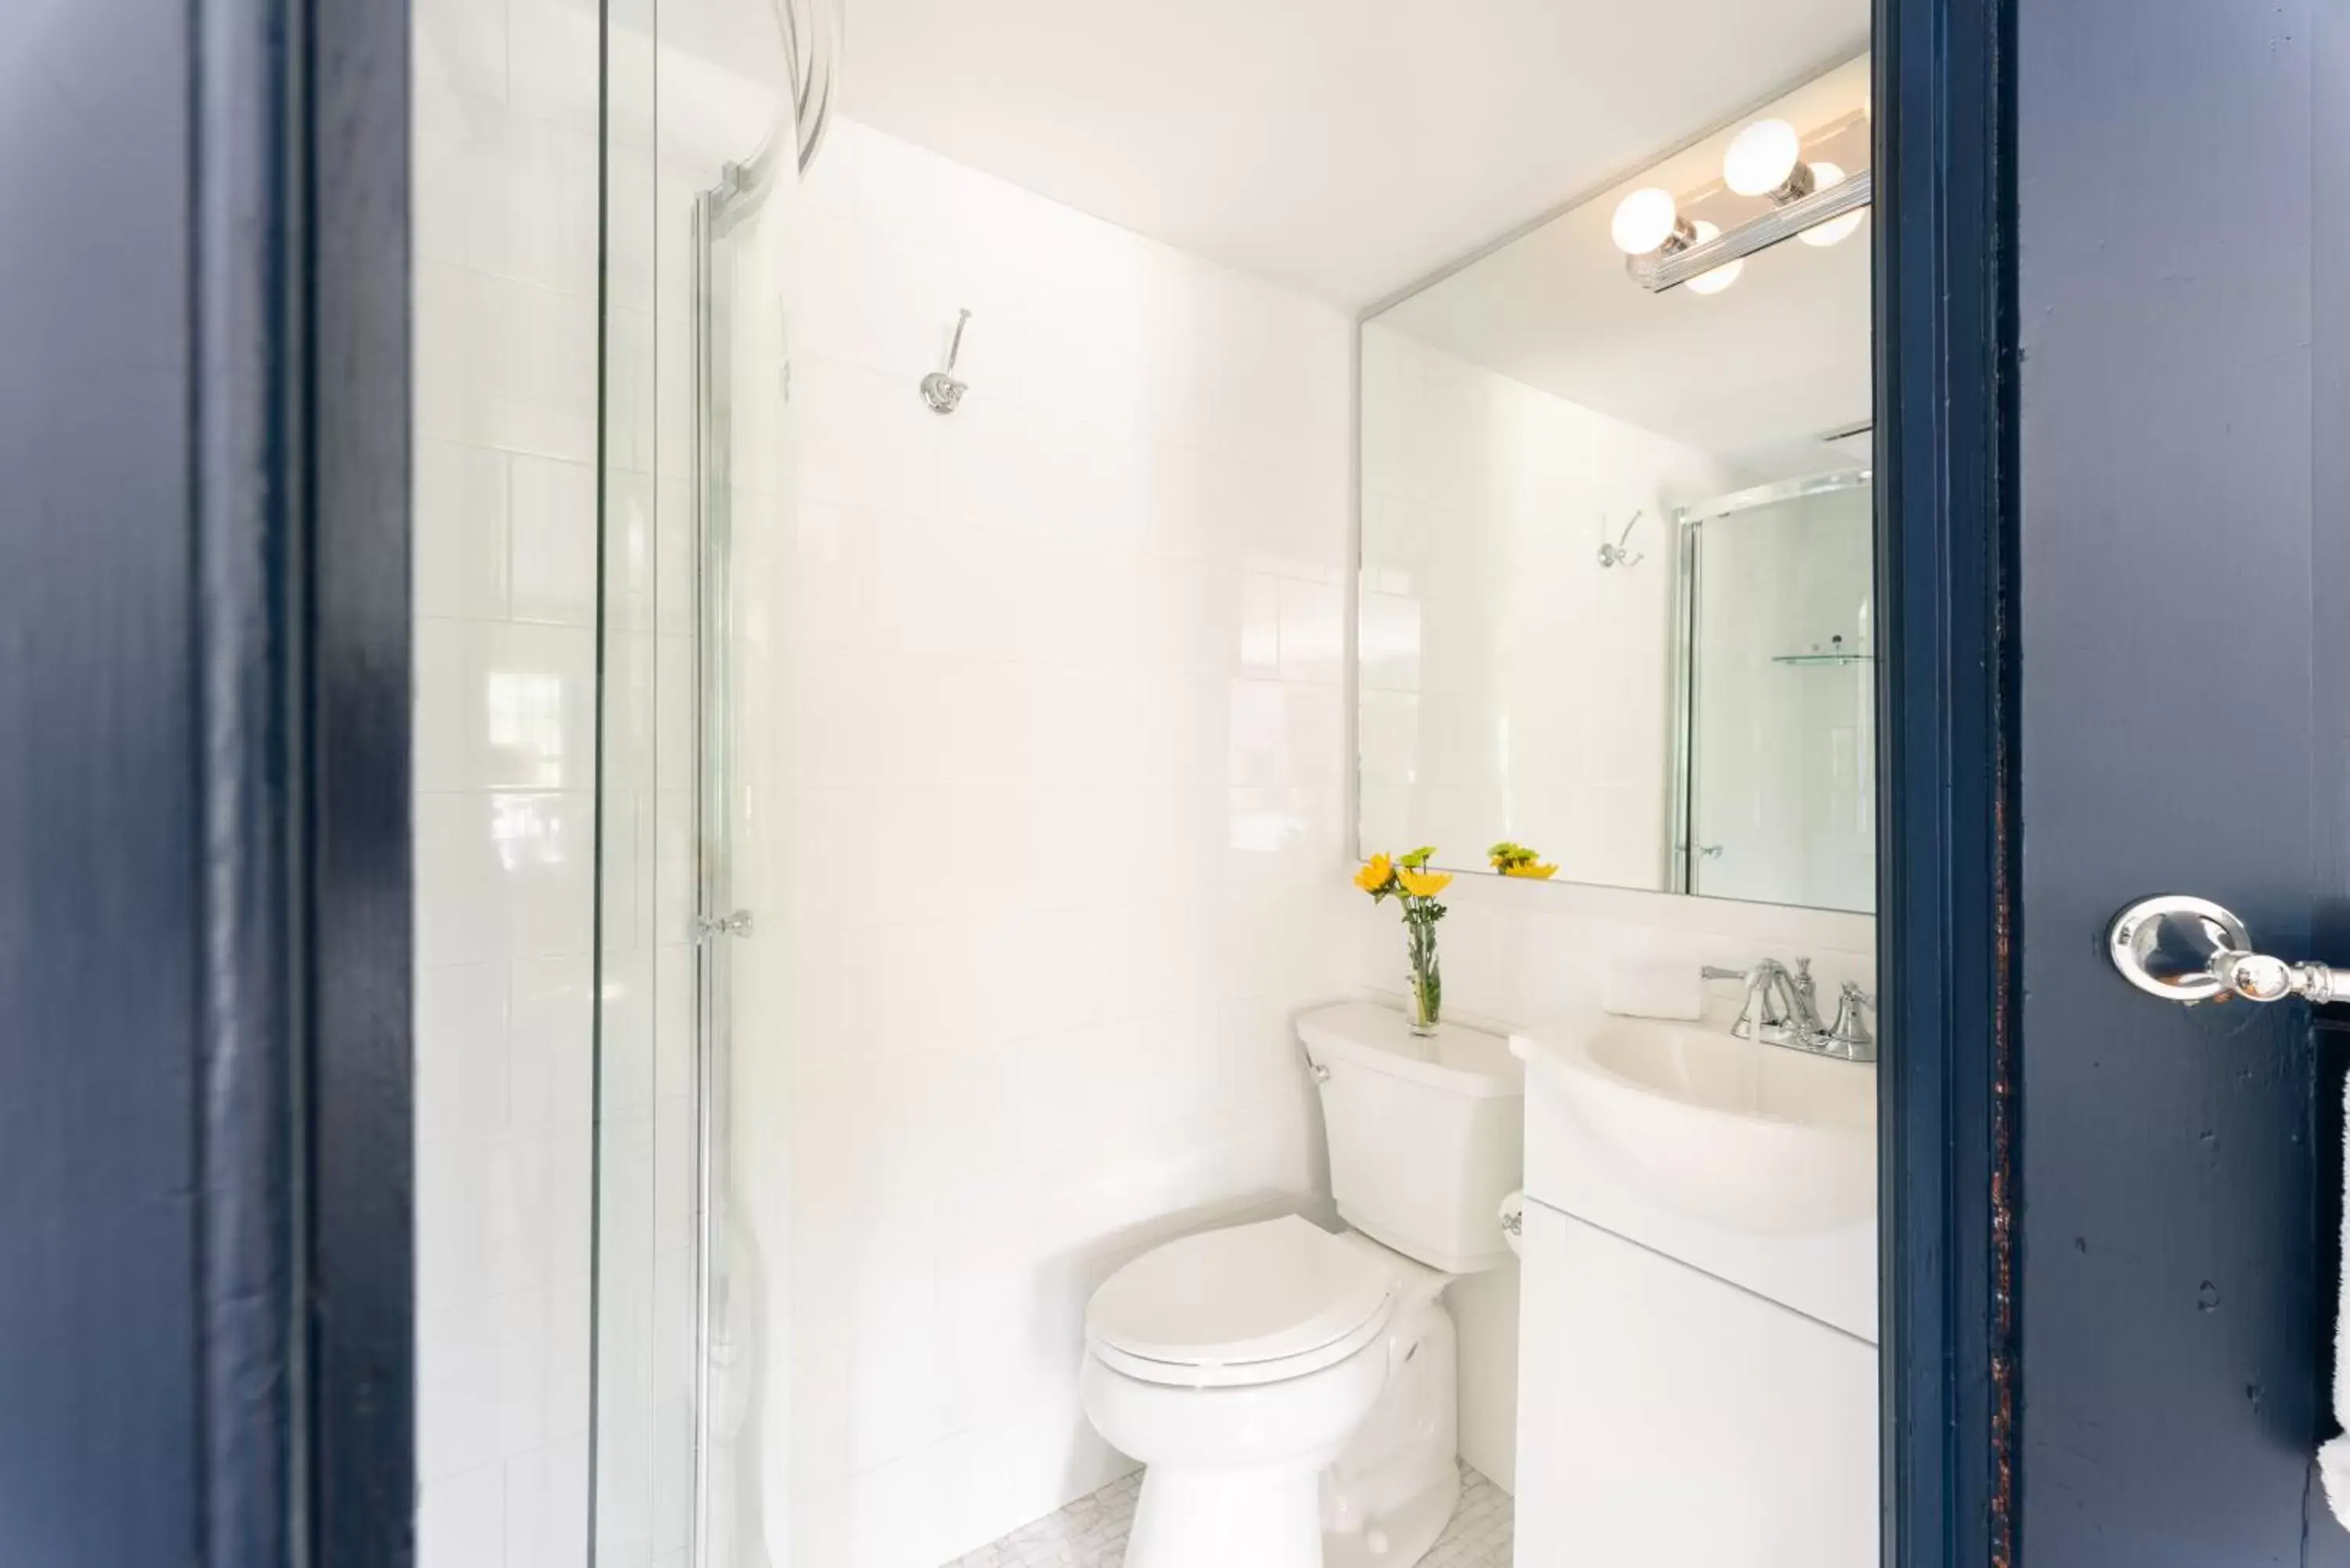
(1289, 1391)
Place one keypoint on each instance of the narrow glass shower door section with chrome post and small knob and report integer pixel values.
(741, 488)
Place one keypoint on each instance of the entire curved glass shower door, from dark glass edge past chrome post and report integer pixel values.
(706, 102)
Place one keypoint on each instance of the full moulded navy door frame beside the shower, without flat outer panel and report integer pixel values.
(302, 535)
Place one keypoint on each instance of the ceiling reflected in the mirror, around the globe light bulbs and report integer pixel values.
(1752, 375)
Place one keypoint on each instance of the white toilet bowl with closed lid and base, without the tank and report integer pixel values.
(1289, 1393)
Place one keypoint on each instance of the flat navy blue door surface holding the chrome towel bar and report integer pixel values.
(2182, 288)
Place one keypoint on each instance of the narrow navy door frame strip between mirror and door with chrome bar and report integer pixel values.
(1947, 826)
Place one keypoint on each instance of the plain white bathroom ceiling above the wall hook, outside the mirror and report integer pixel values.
(1338, 147)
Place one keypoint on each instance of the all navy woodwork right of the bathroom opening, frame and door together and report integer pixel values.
(2114, 441)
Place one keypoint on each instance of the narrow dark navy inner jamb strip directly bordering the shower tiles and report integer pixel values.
(356, 876)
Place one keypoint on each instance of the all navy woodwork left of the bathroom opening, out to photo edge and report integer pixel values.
(206, 1174)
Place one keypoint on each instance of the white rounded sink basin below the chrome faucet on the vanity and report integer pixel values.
(1733, 1132)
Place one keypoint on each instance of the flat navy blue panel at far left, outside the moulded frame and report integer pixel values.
(98, 960)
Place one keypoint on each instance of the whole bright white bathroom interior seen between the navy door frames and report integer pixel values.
(939, 563)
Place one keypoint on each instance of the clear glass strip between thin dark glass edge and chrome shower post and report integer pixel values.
(640, 1456)
